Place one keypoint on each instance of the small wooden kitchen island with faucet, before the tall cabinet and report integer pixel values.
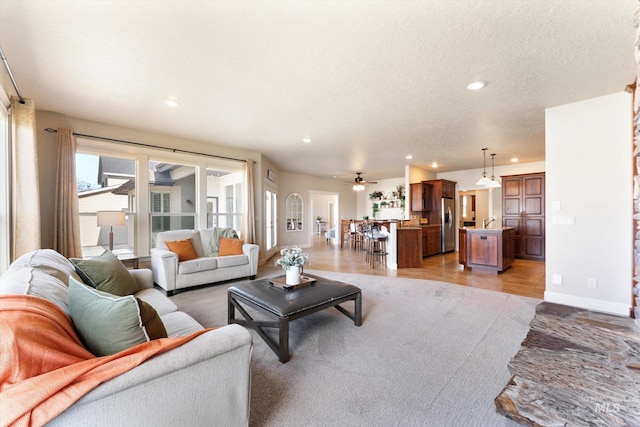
(490, 250)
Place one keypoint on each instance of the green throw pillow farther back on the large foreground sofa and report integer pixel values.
(106, 273)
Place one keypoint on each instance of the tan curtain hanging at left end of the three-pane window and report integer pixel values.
(66, 220)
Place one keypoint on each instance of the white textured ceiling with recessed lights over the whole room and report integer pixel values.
(368, 81)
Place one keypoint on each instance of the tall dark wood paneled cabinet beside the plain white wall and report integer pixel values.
(523, 200)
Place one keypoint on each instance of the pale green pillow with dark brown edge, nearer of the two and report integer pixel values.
(108, 324)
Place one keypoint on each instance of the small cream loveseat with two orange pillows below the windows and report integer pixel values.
(207, 266)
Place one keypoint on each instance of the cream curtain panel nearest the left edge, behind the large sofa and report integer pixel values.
(25, 189)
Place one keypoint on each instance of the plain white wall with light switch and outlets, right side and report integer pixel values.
(589, 179)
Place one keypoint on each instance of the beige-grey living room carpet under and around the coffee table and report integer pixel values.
(428, 354)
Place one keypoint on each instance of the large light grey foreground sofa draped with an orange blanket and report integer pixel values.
(202, 382)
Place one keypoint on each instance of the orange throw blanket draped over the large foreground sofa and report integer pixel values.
(44, 368)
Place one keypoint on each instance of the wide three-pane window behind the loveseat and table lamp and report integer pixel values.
(179, 191)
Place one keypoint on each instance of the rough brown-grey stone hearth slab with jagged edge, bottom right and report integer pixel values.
(576, 367)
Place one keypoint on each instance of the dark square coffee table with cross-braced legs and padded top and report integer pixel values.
(284, 306)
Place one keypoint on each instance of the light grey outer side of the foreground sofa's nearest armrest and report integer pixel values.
(205, 381)
